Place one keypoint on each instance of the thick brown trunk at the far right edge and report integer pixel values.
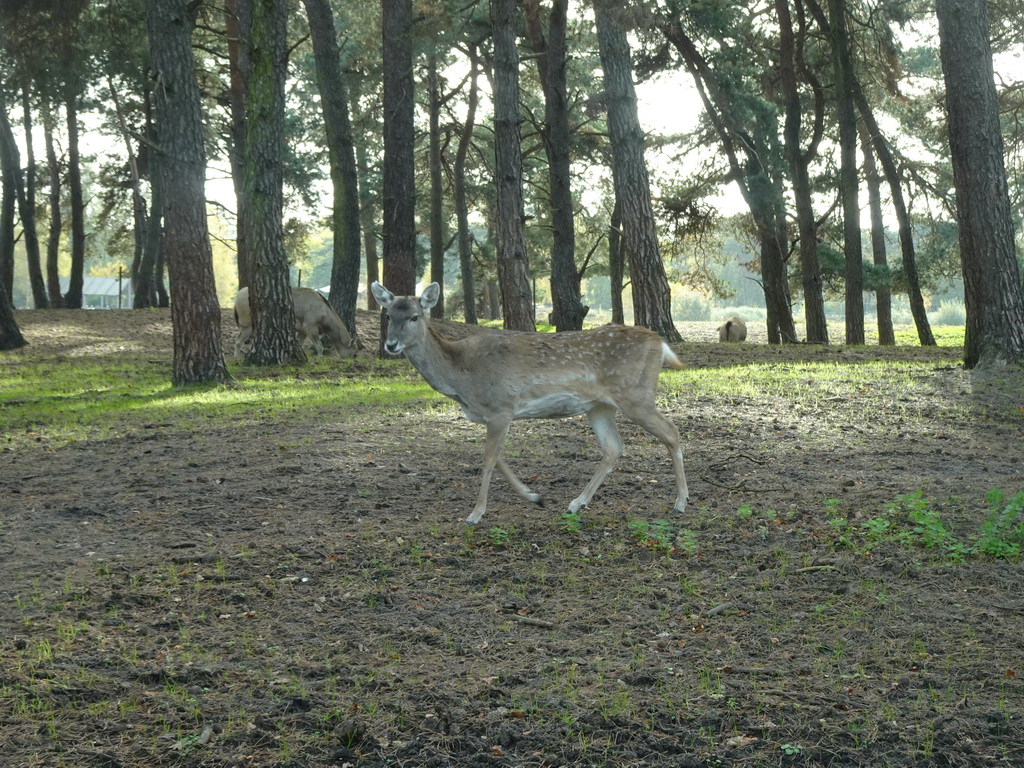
(993, 292)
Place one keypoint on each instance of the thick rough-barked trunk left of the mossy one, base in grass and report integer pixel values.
(195, 312)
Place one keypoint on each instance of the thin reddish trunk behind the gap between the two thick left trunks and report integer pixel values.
(238, 24)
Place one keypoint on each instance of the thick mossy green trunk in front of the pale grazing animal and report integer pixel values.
(275, 342)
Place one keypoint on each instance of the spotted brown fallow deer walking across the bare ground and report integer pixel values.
(500, 376)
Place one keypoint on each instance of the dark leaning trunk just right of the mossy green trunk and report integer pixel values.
(346, 216)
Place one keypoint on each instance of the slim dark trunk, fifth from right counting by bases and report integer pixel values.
(815, 309)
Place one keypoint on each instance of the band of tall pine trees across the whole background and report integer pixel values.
(506, 137)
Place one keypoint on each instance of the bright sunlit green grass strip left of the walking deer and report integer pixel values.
(79, 399)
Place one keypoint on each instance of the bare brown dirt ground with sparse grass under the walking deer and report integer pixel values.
(306, 593)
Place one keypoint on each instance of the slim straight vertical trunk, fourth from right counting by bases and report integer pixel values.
(847, 119)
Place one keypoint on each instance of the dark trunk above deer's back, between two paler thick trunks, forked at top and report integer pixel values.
(568, 308)
